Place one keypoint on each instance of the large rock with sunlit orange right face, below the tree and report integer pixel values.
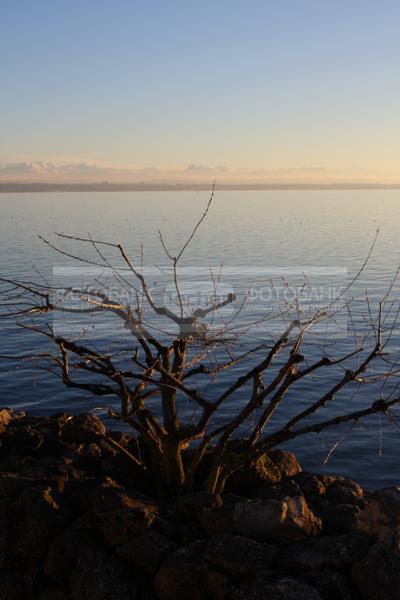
(263, 519)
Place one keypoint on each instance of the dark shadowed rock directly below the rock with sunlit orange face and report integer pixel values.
(238, 555)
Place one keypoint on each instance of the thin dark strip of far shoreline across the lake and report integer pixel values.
(19, 187)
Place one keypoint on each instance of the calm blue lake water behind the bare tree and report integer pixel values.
(248, 232)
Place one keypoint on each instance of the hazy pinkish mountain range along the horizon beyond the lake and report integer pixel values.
(80, 176)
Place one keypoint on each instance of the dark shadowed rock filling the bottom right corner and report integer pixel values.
(377, 576)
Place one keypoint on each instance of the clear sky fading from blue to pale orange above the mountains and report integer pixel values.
(256, 85)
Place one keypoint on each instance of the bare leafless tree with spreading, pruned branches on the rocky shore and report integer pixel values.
(159, 377)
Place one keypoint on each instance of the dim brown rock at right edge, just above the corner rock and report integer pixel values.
(382, 513)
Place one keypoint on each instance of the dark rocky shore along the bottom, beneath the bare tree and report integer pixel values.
(77, 523)
